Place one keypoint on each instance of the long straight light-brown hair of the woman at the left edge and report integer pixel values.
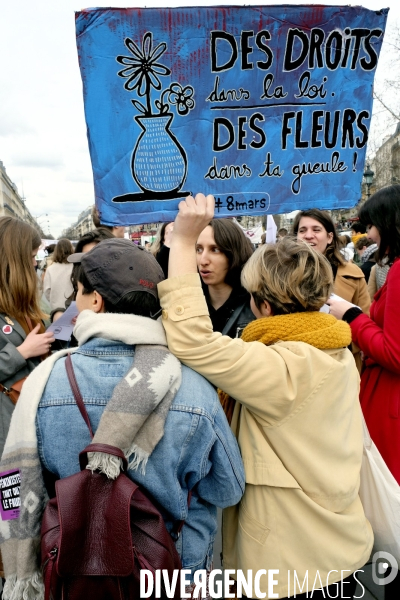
(18, 280)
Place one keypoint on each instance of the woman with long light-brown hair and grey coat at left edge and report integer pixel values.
(23, 341)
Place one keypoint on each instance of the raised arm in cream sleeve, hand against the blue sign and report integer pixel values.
(243, 370)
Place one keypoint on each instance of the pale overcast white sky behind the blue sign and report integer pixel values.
(43, 142)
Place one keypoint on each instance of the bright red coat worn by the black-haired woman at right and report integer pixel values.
(379, 339)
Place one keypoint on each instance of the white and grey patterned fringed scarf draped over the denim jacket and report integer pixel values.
(133, 420)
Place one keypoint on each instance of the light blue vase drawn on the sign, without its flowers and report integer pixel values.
(159, 162)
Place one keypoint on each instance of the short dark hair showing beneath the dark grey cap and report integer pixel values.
(142, 304)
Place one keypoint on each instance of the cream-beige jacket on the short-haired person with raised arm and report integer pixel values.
(299, 430)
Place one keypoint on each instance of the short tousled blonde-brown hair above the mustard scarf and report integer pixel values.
(290, 275)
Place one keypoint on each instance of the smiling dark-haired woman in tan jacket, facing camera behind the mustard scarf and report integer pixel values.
(317, 228)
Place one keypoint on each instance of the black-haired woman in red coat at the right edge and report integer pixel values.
(378, 335)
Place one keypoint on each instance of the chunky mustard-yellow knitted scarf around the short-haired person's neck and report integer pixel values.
(318, 329)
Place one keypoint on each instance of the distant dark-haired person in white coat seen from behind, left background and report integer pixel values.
(57, 285)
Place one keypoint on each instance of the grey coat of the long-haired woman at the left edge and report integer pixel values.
(13, 367)
